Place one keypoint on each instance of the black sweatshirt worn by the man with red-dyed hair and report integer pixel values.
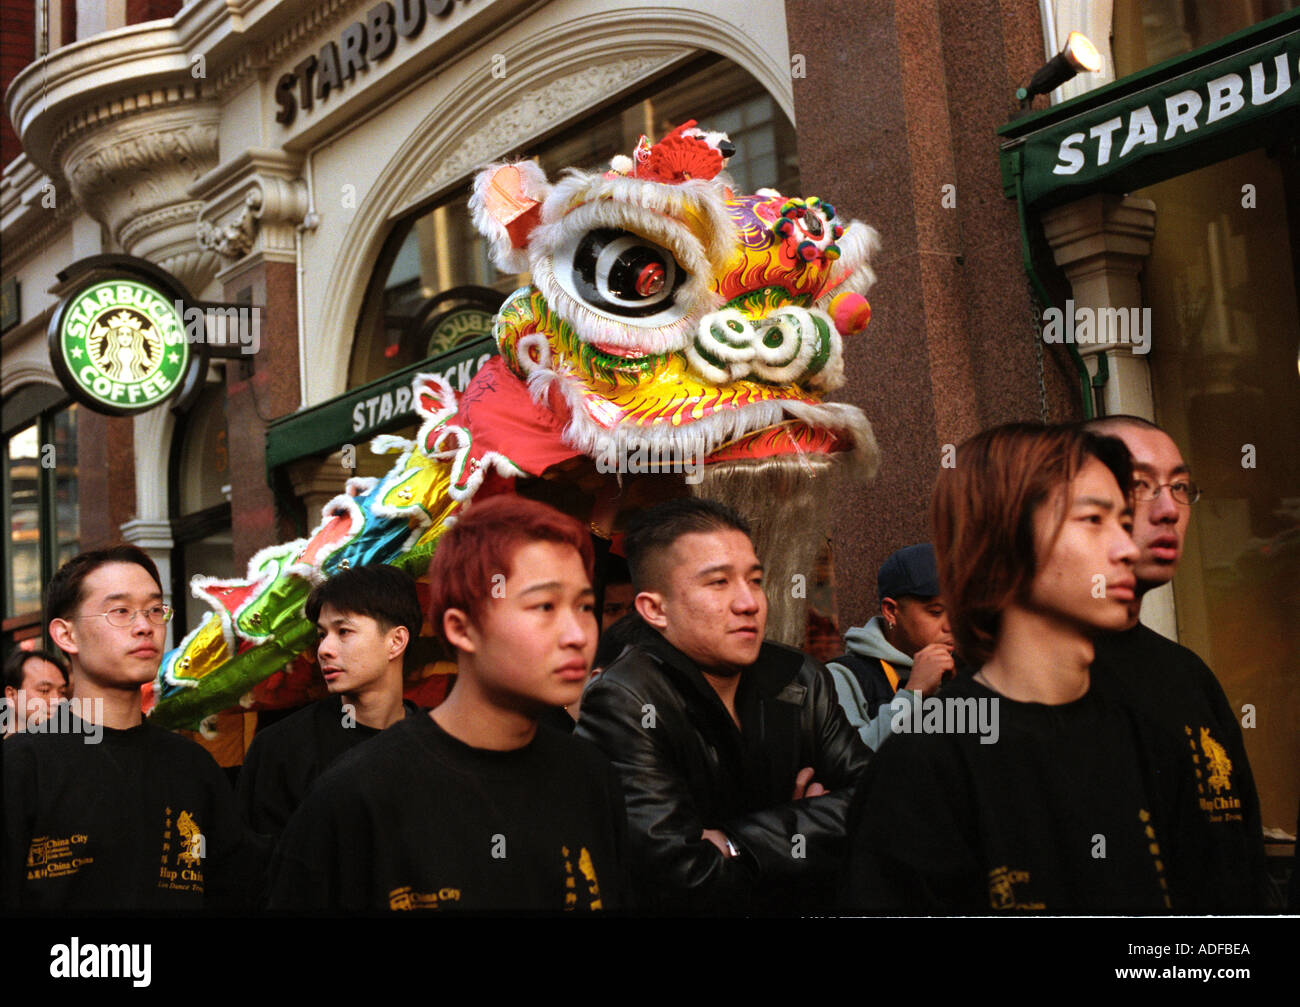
(418, 821)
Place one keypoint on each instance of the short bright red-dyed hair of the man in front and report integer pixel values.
(483, 545)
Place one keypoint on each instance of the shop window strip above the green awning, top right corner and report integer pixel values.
(1150, 32)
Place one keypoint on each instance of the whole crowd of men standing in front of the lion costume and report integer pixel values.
(1004, 736)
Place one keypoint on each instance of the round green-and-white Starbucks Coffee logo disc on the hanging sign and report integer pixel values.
(123, 345)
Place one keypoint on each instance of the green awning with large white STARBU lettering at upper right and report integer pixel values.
(1165, 121)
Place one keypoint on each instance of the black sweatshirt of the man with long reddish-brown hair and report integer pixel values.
(1059, 815)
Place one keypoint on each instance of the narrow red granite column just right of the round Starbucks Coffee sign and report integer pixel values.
(255, 398)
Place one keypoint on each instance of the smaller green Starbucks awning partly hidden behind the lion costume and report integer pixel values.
(375, 409)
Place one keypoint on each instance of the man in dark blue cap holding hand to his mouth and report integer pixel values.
(905, 652)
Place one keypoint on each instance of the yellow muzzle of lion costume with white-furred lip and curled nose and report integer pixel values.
(770, 379)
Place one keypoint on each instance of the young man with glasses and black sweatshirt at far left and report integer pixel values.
(115, 814)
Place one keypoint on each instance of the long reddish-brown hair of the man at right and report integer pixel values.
(983, 514)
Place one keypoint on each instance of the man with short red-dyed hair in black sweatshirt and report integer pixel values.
(475, 806)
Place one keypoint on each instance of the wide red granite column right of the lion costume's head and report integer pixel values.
(896, 124)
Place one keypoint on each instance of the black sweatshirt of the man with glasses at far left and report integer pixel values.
(144, 821)
